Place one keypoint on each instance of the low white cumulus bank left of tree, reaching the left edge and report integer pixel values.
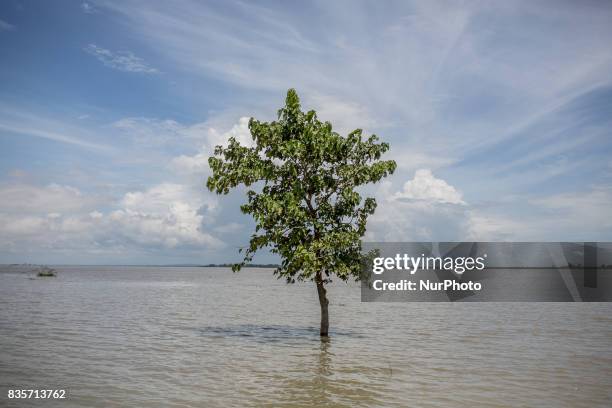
(62, 218)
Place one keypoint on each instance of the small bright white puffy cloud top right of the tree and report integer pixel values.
(426, 187)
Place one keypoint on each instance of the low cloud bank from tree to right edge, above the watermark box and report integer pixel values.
(430, 209)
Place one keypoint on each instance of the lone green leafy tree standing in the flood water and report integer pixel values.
(301, 178)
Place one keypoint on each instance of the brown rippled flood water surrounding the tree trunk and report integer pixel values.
(204, 337)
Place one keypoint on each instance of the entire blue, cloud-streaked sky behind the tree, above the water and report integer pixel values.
(498, 114)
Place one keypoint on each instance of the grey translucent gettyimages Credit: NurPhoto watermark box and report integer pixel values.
(487, 271)
